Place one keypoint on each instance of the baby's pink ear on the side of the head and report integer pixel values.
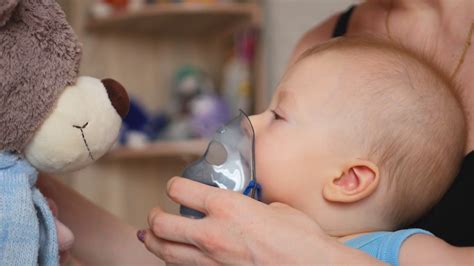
(358, 181)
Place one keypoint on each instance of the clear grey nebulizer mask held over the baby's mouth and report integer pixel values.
(228, 163)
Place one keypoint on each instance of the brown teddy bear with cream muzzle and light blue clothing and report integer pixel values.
(51, 120)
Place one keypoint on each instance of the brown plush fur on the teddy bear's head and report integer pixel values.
(39, 57)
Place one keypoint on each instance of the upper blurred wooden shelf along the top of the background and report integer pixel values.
(180, 18)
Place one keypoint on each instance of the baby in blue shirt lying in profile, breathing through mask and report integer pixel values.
(363, 136)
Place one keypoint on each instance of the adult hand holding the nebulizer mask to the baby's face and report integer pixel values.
(237, 230)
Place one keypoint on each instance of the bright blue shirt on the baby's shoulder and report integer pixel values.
(384, 246)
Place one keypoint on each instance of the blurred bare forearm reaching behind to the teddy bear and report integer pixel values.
(101, 238)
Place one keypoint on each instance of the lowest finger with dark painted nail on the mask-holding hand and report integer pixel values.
(175, 253)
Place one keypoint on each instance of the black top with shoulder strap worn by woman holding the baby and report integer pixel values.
(452, 219)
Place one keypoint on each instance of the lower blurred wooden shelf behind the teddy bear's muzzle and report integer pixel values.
(184, 148)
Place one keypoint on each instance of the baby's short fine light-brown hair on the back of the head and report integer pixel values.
(412, 118)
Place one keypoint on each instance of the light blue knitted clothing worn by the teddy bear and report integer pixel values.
(27, 228)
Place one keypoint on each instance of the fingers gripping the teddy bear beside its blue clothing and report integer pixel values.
(65, 236)
